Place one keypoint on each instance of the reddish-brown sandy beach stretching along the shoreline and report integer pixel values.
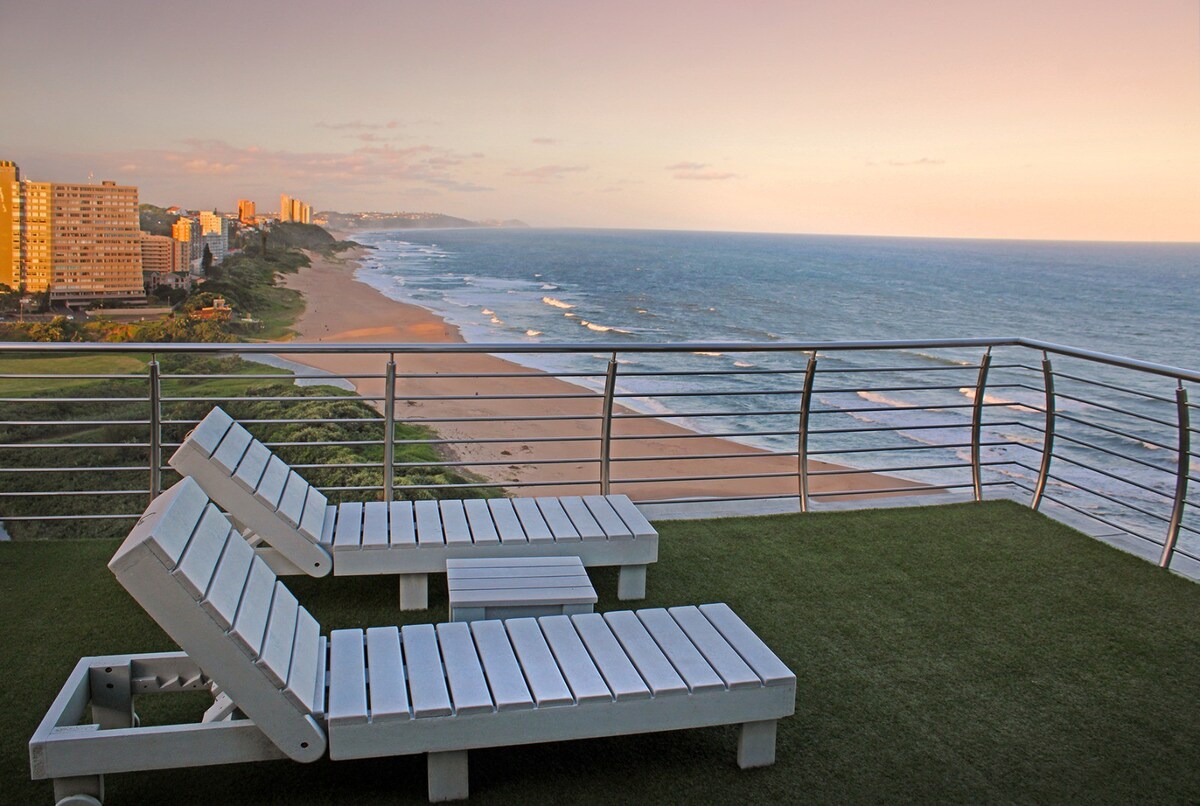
(343, 310)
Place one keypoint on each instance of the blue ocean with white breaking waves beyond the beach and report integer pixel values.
(1138, 300)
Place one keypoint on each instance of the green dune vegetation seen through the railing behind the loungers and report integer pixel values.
(29, 468)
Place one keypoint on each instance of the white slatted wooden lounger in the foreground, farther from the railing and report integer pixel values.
(284, 690)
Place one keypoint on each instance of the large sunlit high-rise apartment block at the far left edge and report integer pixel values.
(81, 243)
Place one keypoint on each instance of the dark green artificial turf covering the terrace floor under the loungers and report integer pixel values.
(955, 654)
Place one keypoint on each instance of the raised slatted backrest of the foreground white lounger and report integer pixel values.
(201, 581)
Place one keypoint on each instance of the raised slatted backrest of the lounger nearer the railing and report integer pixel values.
(259, 490)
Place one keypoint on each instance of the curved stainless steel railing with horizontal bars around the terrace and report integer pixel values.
(1102, 436)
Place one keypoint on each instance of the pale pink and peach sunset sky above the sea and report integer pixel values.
(1046, 119)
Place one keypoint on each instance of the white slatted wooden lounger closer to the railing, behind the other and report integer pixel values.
(305, 534)
